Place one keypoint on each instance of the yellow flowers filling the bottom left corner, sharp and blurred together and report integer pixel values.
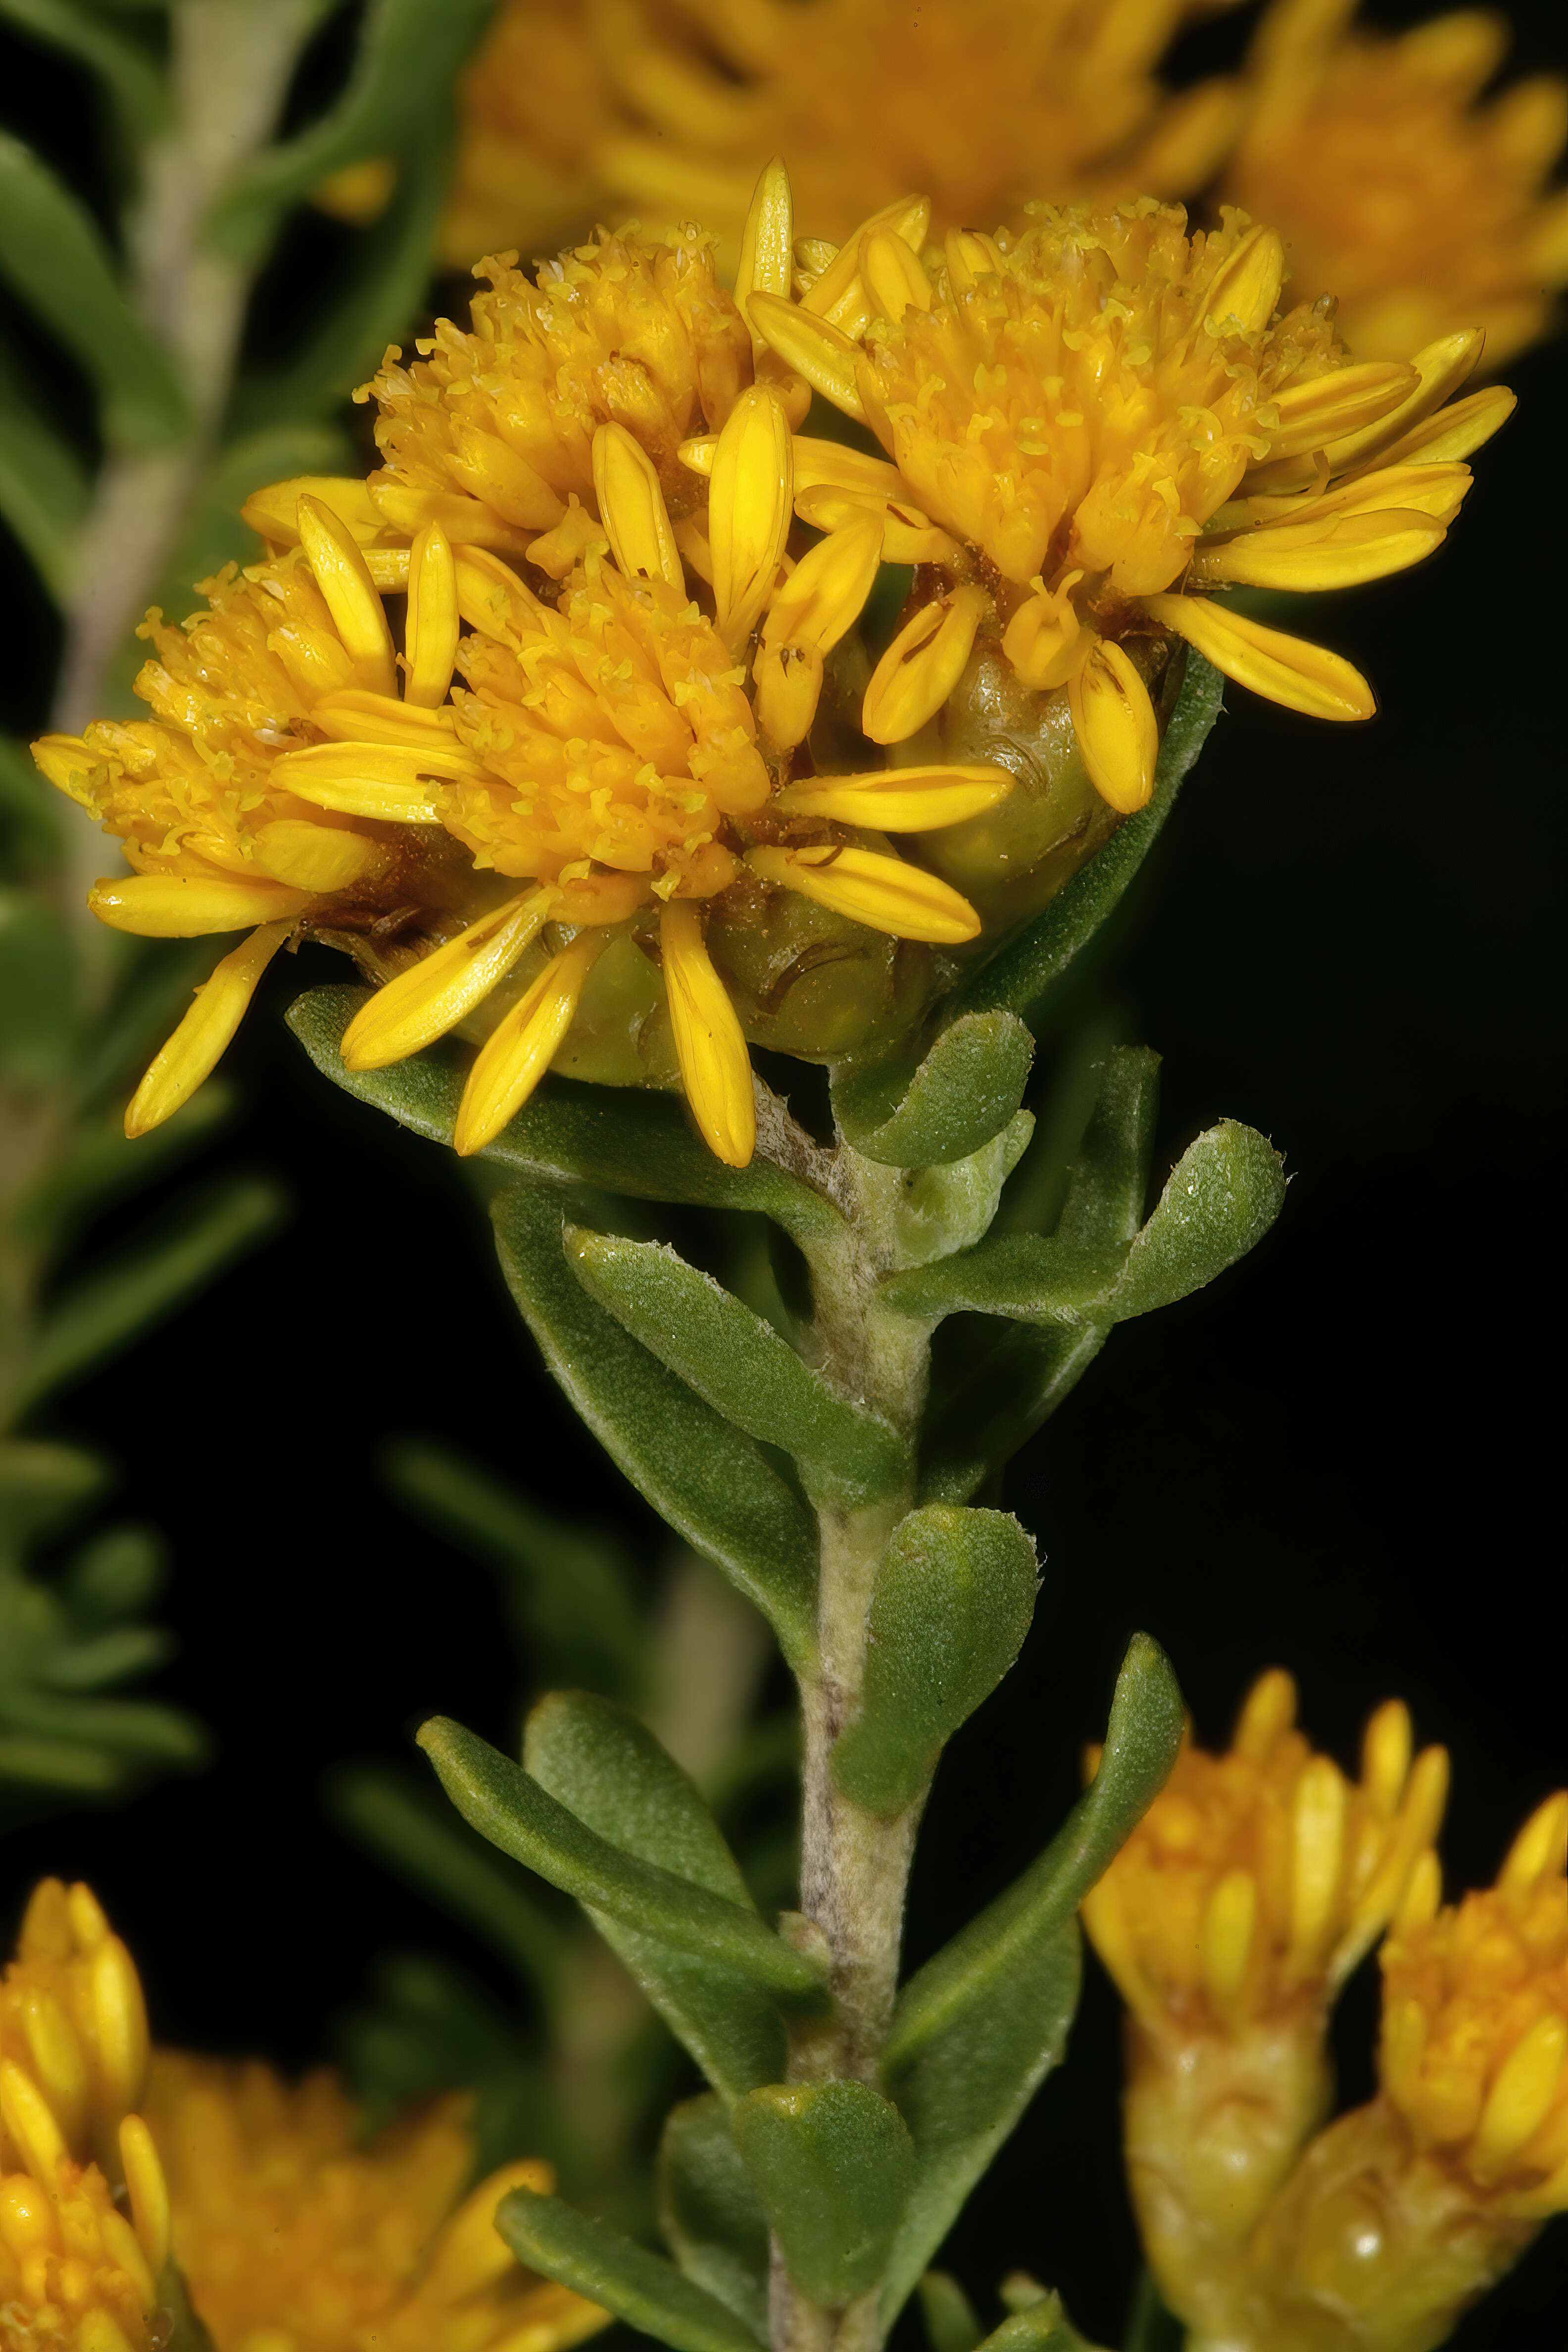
(253, 2200)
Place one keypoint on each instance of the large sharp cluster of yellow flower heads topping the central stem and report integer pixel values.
(568, 726)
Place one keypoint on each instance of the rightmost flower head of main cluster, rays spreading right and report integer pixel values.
(1094, 425)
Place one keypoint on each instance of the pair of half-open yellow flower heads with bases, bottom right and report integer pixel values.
(1231, 1923)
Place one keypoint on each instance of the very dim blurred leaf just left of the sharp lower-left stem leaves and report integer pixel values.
(417, 1836)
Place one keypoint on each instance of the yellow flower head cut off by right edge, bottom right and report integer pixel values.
(1475, 2024)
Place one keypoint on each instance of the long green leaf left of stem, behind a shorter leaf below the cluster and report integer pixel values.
(699, 1474)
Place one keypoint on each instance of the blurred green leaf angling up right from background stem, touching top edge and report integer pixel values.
(408, 60)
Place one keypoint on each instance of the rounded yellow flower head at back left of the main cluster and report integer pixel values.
(492, 429)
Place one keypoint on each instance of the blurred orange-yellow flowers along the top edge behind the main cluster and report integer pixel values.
(1391, 187)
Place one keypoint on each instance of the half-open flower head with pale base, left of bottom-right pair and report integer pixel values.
(1231, 1920)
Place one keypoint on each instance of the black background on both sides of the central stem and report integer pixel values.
(1343, 1457)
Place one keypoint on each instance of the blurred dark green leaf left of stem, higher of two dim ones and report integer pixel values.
(572, 1593)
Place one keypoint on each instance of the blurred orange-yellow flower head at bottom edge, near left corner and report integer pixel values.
(297, 2236)
